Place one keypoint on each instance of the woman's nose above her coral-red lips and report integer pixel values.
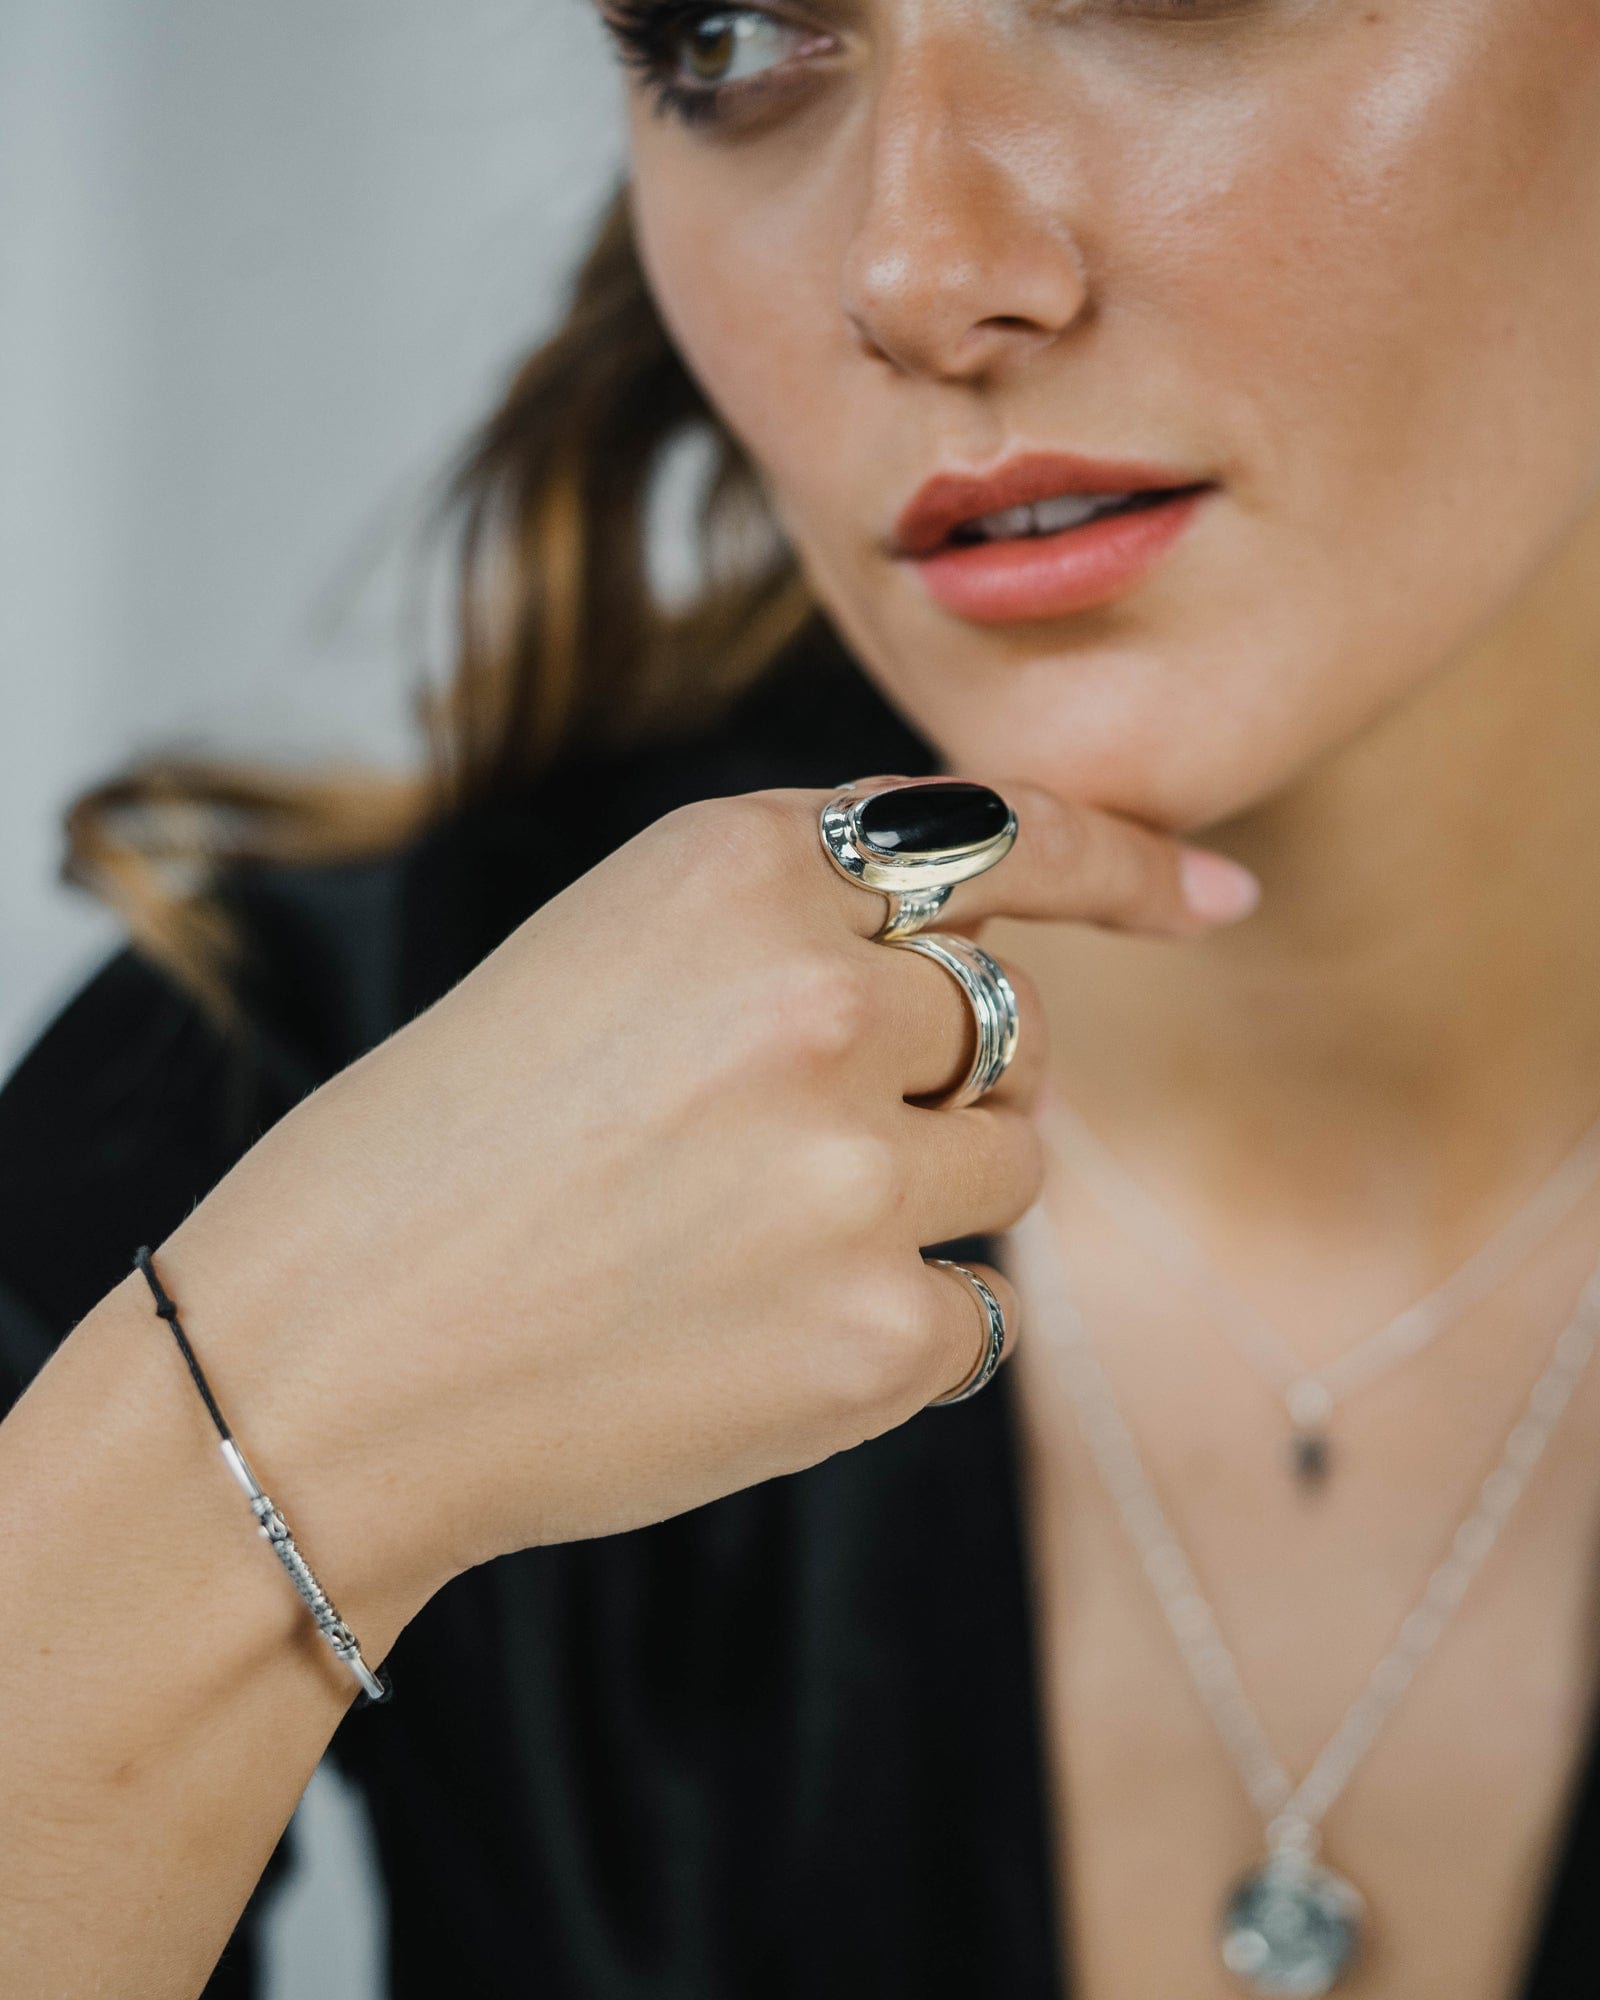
(963, 255)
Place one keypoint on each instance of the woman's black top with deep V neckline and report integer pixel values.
(785, 1745)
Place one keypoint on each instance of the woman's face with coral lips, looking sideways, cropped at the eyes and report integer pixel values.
(1337, 257)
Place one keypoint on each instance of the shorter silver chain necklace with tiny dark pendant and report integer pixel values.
(1311, 1395)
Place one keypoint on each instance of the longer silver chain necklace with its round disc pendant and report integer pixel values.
(1291, 1927)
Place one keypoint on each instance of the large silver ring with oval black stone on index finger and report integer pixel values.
(917, 841)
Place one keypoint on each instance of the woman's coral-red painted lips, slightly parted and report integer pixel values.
(1031, 569)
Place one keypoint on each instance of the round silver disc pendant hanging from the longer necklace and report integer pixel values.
(1291, 1929)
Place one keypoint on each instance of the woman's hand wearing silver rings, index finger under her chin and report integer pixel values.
(633, 1215)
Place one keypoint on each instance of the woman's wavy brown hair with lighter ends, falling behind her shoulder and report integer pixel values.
(561, 637)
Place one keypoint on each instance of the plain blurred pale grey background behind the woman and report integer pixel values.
(261, 267)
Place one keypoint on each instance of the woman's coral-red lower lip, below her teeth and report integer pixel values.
(1055, 575)
